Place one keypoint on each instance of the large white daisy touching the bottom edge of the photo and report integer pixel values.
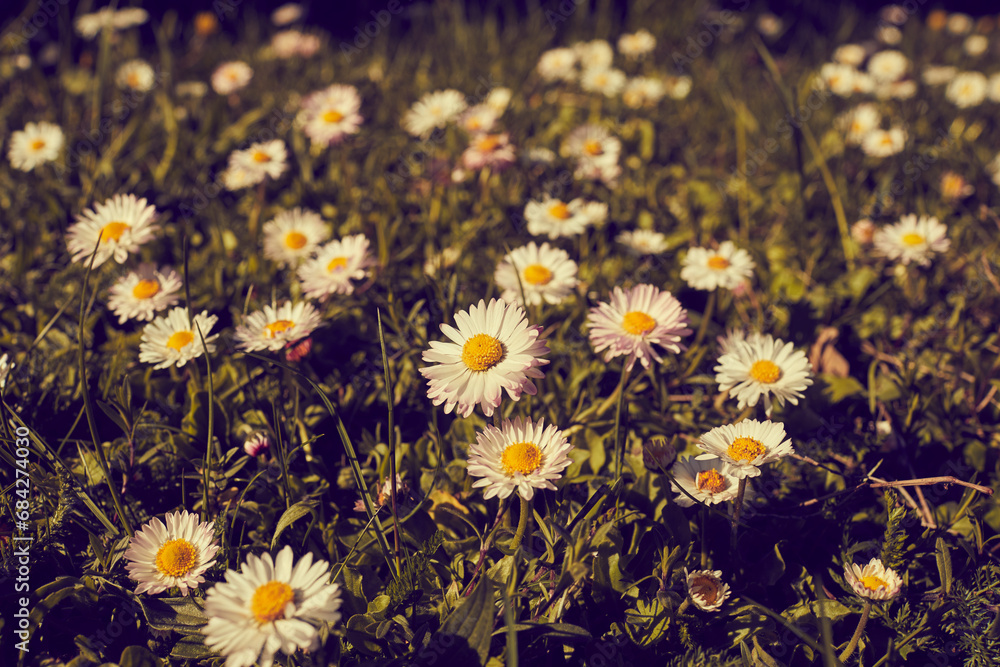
(270, 605)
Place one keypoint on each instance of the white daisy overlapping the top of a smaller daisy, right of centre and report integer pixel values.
(745, 446)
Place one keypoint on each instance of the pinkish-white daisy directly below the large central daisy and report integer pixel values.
(521, 456)
